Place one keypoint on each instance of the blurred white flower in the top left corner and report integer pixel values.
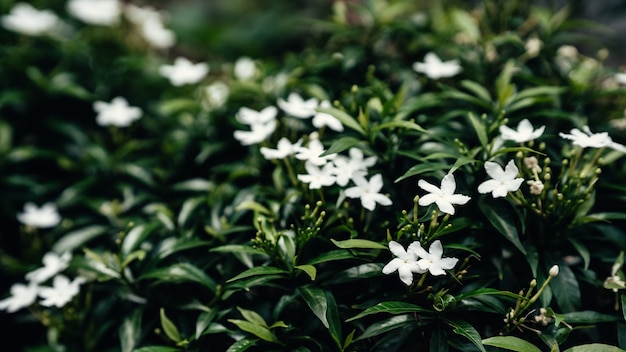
(26, 19)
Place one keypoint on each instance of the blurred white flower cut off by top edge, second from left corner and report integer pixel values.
(97, 12)
